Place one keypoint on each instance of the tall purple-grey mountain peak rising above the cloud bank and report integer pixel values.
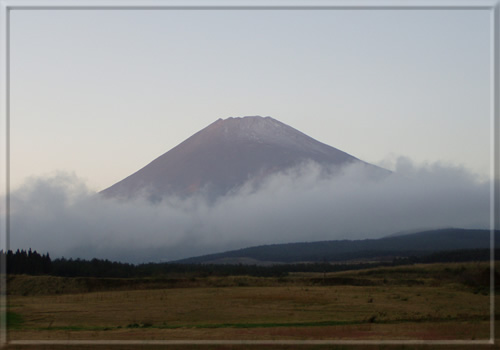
(225, 155)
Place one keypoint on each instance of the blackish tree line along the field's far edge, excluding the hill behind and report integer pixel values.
(32, 263)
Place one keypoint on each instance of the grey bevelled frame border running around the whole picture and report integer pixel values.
(6, 6)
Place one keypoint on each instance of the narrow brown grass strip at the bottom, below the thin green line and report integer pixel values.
(402, 331)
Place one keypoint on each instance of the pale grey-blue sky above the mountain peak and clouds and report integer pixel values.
(102, 93)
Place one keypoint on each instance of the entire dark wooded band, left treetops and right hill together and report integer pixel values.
(452, 245)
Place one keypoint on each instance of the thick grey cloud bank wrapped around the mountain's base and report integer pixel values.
(62, 216)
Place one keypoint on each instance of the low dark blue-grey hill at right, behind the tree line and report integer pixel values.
(392, 246)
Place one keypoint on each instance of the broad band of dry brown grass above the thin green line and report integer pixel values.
(212, 306)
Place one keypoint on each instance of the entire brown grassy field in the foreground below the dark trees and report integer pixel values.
(420, 302)
